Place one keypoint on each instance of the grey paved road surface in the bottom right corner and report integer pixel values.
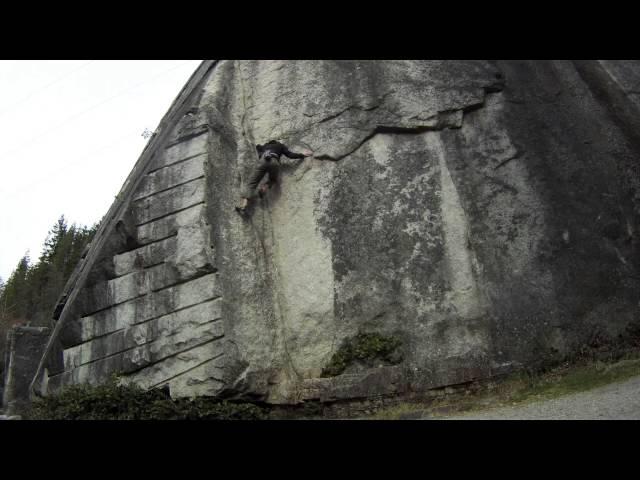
(616, 401)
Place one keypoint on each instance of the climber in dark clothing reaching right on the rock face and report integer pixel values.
(269, 154)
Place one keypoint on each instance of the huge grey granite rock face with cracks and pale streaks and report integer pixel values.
(484, 213)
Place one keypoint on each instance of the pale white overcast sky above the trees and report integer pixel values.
(70, 133)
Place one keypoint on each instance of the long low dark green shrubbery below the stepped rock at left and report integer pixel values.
(111, 401)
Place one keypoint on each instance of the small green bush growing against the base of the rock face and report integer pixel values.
(364, 347)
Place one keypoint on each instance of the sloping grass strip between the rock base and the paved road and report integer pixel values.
(519, 389)
